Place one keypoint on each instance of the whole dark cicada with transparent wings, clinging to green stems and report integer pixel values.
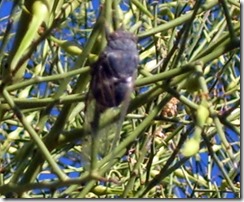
(111, 84)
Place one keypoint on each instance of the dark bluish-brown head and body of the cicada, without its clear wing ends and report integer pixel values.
(114, 72)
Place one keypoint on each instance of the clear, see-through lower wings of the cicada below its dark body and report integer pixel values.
(100, 127)
